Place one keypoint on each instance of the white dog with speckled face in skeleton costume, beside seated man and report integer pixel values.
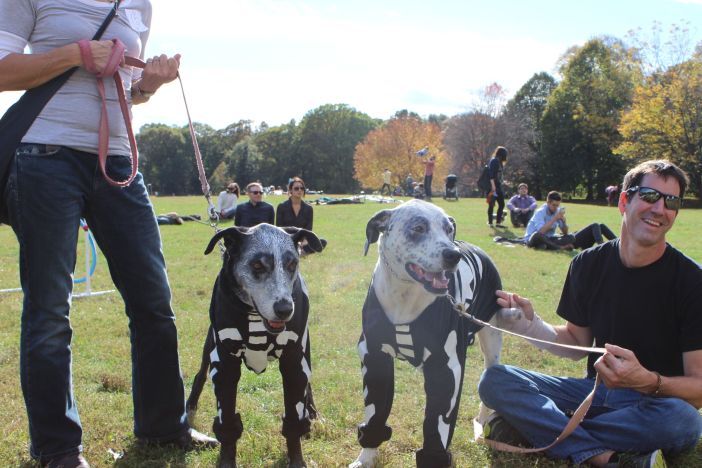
(407, 315)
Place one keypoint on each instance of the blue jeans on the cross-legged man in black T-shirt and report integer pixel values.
(623, 420)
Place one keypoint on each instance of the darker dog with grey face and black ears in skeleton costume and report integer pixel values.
(258, 313)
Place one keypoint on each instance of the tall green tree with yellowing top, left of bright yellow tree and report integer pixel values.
(581, 119)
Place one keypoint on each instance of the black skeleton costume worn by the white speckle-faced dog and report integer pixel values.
(436, 343)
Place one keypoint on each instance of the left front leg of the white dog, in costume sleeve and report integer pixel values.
(379, 389)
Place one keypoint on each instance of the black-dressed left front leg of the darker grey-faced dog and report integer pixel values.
(227, 425)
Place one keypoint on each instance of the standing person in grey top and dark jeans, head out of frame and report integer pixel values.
(55, 180)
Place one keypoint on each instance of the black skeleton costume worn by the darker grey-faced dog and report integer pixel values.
(240, 336)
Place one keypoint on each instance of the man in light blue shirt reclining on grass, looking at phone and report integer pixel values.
(541, 230)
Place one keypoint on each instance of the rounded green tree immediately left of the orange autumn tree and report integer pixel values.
(327, 139)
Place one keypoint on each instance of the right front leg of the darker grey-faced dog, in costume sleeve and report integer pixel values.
(295, 369)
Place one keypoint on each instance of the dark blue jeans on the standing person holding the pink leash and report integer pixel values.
(50, 189)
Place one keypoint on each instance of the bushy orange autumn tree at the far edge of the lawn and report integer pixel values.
(394, 146)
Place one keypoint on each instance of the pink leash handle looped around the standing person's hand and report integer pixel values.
(116, 59)
